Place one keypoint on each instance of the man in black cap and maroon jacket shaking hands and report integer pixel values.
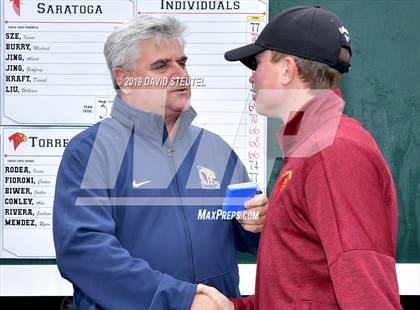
(330, 235)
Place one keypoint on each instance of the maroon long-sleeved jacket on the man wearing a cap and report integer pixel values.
(330, 235)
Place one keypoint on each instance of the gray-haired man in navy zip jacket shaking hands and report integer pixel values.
(130, 189)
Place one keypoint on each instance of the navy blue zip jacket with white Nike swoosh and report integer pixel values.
(126, 221)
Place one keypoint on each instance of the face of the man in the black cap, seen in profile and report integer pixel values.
(266, 85)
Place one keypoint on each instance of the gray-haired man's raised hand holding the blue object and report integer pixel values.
(257, 204)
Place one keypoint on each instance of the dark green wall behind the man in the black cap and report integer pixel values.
(383, 92)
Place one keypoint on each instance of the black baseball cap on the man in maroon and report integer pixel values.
(303, 31)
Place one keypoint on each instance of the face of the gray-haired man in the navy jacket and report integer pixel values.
(158, 68)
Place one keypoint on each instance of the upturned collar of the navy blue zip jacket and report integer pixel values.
(146, 123)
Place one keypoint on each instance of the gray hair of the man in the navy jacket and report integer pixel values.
(122, 48)
